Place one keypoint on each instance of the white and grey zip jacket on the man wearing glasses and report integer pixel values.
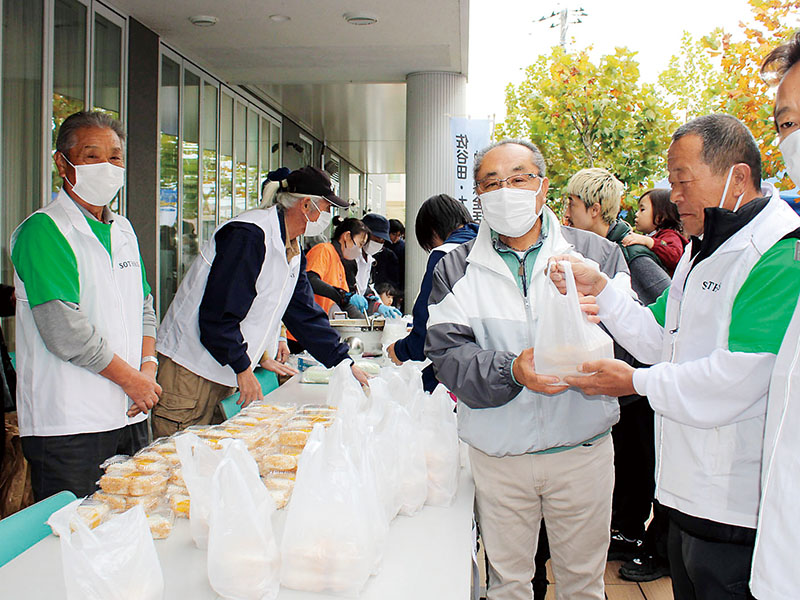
(480, 321)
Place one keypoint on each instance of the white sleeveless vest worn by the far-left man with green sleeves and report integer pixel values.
(55, 397)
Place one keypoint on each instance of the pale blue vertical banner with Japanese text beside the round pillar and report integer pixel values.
(468, 136)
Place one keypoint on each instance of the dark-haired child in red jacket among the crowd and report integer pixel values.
(659, 220)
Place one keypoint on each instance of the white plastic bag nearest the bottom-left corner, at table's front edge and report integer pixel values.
(115, 561)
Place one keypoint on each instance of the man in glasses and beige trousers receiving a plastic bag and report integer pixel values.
(537, 449)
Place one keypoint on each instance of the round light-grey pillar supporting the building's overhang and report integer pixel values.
(431, 99)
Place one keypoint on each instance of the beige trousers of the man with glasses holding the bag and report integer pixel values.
(572, 491)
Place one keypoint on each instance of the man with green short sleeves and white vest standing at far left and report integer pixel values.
(85, 320)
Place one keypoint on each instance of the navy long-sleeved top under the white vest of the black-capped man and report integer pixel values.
(231, 289)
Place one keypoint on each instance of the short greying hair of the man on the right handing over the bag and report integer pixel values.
(726, 142)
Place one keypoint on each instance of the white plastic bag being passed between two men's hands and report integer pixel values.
(565, 338)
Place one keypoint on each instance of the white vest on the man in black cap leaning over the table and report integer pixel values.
(179, 334)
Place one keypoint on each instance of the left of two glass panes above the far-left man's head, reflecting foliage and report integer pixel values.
(69, 68)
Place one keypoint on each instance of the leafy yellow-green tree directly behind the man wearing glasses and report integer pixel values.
(581, 114)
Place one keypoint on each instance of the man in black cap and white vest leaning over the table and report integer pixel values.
(226, 317)
